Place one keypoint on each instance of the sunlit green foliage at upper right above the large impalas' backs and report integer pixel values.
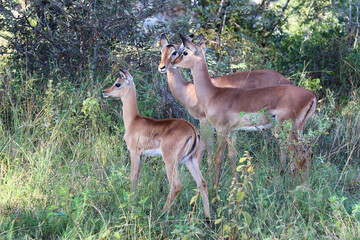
(314, 38)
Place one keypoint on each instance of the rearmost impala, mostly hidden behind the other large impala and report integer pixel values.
(184, 91)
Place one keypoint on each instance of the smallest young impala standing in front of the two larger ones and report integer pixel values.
(176, 140)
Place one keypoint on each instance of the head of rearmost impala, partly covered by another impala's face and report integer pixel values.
(168, 53)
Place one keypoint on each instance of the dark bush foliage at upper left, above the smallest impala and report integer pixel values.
(72, 36)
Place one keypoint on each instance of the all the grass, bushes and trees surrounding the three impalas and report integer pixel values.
(64, 167)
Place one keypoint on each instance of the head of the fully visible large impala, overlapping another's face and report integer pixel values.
(190, 52)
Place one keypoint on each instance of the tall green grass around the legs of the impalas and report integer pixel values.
(64, 173)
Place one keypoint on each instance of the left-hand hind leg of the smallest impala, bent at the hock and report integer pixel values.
(173, 177)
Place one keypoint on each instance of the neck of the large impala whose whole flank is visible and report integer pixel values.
(202, 81)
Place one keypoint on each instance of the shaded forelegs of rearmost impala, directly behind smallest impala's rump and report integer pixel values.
(207, 140)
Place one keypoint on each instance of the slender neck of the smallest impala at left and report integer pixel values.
(130, 108)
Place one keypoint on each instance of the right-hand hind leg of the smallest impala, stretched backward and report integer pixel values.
(194, 169)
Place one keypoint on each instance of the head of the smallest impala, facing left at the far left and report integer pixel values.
(121, 85)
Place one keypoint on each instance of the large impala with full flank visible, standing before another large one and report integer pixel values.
(231, 109)
